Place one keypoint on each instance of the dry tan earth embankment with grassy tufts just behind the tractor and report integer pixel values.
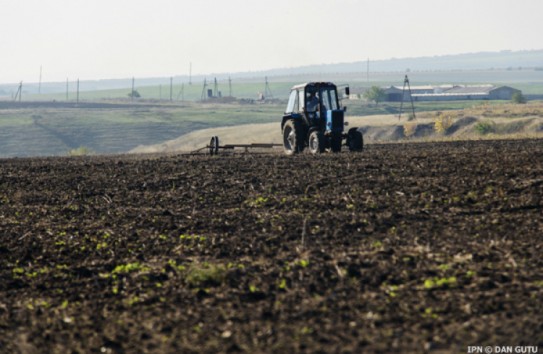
(376, 129)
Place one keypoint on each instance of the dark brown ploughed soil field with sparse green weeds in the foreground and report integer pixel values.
(401, 248)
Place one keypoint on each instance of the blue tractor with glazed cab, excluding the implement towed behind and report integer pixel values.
(314, 119)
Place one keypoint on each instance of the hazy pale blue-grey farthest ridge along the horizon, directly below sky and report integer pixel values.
(469, 61)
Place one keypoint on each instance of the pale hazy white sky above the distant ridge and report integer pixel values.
(98, 39)
